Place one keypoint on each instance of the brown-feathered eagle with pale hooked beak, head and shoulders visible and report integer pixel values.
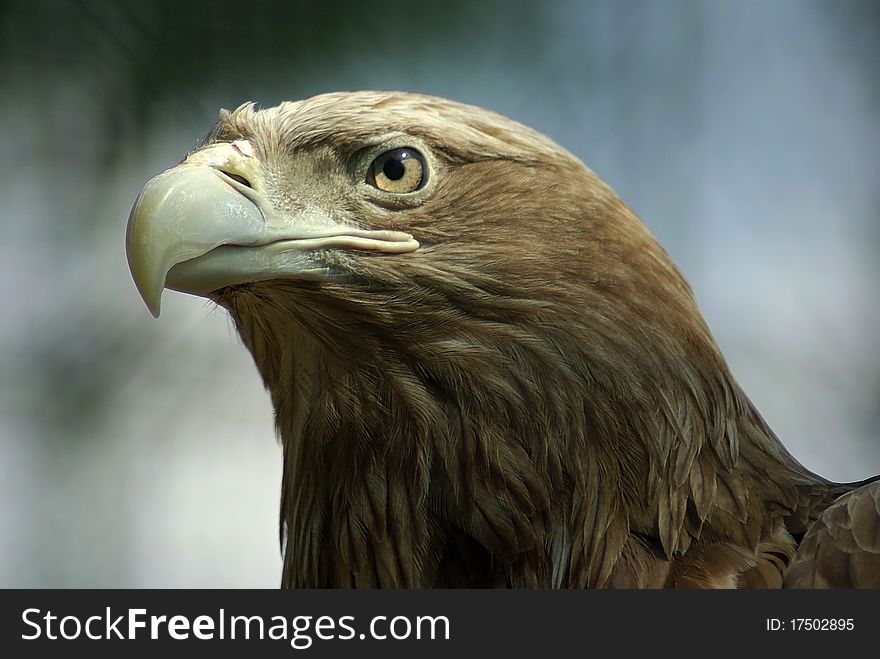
(485, 370)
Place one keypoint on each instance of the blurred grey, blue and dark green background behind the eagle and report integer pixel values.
(141, 453)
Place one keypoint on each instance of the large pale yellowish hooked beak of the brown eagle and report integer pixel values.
(207, 224)
